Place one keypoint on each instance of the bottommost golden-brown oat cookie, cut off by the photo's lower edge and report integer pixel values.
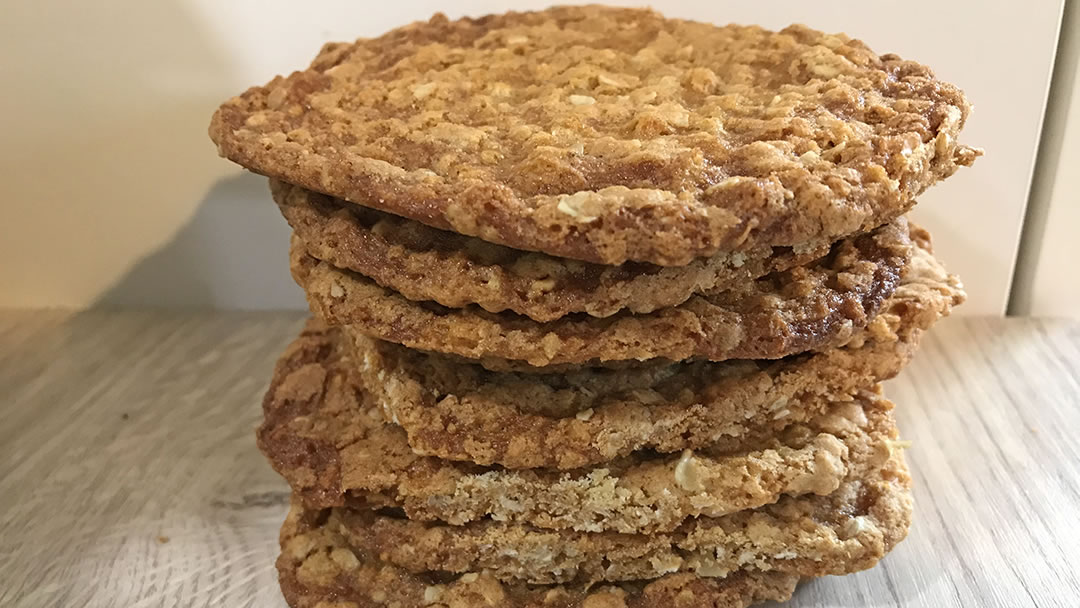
(318, 569)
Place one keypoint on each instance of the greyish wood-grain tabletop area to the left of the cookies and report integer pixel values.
(137, 430)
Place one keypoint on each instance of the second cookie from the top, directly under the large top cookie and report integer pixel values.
(425, 264)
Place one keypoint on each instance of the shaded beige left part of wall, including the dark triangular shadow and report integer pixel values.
(113, 165)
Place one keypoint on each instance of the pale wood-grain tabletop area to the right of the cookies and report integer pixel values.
(989, 406)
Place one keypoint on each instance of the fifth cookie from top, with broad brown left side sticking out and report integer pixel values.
(326, 435)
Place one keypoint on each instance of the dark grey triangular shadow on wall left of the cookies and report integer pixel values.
(233, 254)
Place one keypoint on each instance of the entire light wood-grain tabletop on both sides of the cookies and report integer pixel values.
(131, 479)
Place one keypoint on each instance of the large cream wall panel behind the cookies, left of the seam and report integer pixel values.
(114, 195)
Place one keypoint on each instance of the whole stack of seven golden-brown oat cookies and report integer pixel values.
(602, 305)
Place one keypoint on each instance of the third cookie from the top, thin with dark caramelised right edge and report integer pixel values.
(805, 308)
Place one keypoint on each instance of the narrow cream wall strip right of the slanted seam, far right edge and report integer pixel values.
(1049, 280)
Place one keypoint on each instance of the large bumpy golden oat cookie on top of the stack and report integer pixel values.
(609, 134)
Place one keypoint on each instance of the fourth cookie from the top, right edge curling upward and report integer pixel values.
(579, 417)
